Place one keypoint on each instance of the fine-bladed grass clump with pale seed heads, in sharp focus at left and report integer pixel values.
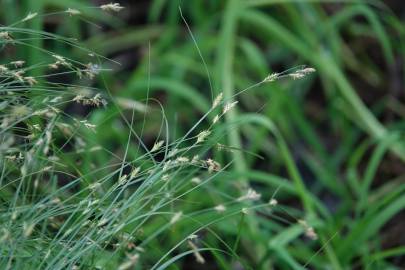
(58, 215)
